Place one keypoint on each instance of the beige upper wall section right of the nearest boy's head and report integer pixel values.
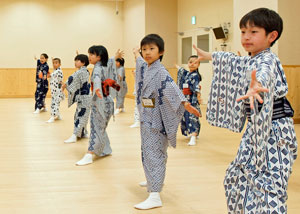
(289, 46)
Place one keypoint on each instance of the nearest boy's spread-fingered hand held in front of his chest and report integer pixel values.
(253, 91)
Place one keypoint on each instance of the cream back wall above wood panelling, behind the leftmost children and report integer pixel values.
(58, 28)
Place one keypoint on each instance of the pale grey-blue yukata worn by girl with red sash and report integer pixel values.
(102, 109)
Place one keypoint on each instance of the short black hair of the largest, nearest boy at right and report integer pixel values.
(264, 18)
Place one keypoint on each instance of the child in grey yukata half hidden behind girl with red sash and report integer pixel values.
(120, 98)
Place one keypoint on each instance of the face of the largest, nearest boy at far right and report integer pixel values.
(255, 40)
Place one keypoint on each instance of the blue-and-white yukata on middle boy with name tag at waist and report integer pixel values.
(159, 124)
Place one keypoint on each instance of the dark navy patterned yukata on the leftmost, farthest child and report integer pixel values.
(42, 85)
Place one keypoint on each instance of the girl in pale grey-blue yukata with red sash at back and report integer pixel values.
(102, 103)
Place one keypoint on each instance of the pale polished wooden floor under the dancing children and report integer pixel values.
(38, 172)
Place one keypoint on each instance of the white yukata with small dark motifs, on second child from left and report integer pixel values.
(57, 95)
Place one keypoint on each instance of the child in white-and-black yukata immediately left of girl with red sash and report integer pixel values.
(79, 91)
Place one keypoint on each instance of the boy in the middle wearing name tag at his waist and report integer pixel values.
(161, 105)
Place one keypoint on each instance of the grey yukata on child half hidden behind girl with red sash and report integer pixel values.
(120, 98)
